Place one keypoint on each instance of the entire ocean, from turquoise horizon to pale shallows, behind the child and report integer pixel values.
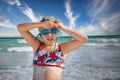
(98, 59)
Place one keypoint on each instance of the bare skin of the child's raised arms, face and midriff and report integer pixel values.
(52, 73)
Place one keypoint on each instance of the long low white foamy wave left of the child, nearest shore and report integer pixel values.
(20, 49)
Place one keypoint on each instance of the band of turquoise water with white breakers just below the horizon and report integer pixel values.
(13, 44)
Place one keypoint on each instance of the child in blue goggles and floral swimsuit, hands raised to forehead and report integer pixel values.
(48, 56)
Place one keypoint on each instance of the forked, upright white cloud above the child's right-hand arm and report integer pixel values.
(69, 15)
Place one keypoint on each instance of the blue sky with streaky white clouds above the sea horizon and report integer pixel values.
(91, 17)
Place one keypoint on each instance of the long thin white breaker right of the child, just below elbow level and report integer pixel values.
(102, 44)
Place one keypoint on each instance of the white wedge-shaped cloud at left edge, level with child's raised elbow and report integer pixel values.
(6, 23)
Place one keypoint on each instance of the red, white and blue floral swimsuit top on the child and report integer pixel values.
(53, 58)
